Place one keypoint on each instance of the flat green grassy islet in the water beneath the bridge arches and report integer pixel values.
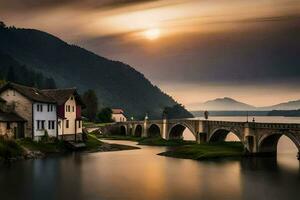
(207, 151)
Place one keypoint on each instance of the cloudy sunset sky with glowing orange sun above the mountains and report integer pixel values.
(195, 50)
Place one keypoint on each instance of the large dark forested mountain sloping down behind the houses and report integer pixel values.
(116, 84)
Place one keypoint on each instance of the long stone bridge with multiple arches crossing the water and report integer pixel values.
(257, 138)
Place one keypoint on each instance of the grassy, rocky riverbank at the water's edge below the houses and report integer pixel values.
(11, 150)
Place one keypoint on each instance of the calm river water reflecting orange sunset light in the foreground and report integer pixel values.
(141, 174)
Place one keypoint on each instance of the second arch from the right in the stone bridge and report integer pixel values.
(220, 134)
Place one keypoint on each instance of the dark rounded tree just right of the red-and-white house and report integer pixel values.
(91, 101)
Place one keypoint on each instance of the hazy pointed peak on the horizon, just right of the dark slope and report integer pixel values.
(224, 104)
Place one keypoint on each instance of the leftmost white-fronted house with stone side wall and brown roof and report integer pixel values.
(38, 109)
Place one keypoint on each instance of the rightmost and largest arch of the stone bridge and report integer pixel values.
(268, 143)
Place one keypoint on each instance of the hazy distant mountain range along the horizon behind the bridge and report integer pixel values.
(229, 104)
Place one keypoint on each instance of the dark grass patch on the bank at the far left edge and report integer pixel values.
(9, 149)
